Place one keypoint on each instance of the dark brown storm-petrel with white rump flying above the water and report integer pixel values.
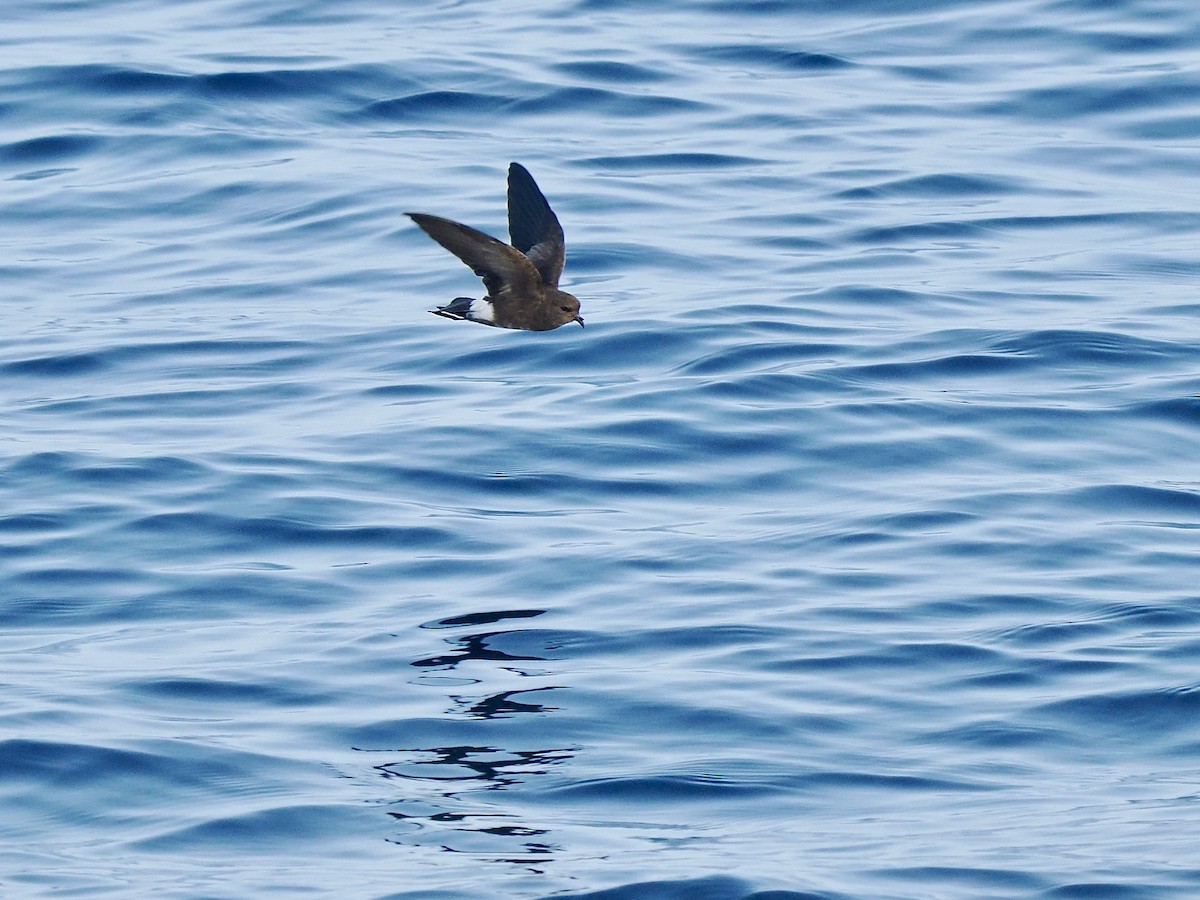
(523, 279)
